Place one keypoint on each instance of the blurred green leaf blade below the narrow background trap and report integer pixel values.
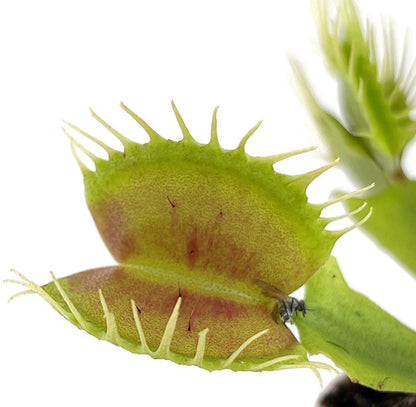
(393, 222)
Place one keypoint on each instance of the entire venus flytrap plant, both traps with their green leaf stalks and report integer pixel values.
(201, 236)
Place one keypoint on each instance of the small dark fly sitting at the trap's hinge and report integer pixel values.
(286, 307)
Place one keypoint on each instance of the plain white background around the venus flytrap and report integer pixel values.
(58, 58)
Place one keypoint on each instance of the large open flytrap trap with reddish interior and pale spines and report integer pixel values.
(193, 228)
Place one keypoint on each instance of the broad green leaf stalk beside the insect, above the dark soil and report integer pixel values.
(370, 345)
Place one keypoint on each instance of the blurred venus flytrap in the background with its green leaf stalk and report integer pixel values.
(376, 88)
